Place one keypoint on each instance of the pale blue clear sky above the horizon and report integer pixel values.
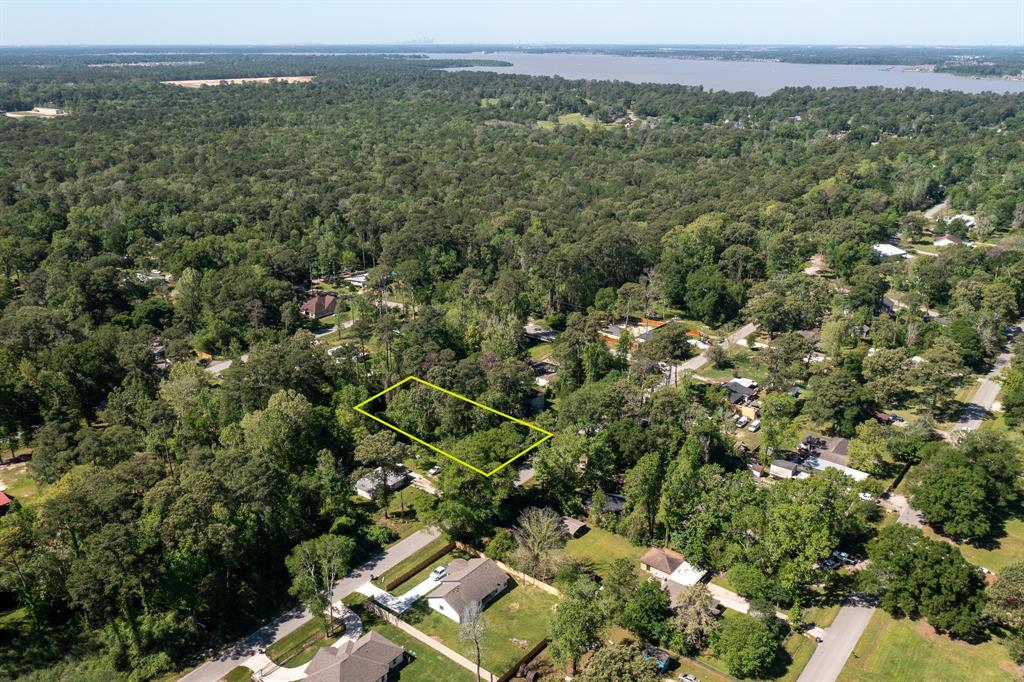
(355, 22)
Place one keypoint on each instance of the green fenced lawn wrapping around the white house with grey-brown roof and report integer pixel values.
(522, 614)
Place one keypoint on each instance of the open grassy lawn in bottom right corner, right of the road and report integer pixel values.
(892, 650)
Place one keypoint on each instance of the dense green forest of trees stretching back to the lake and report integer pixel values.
(169, 497)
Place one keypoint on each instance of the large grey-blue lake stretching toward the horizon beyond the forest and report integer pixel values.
(762, 78)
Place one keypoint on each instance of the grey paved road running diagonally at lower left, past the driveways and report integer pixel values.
(224, 662)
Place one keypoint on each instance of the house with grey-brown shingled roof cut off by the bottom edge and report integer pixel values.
(370, 659)
